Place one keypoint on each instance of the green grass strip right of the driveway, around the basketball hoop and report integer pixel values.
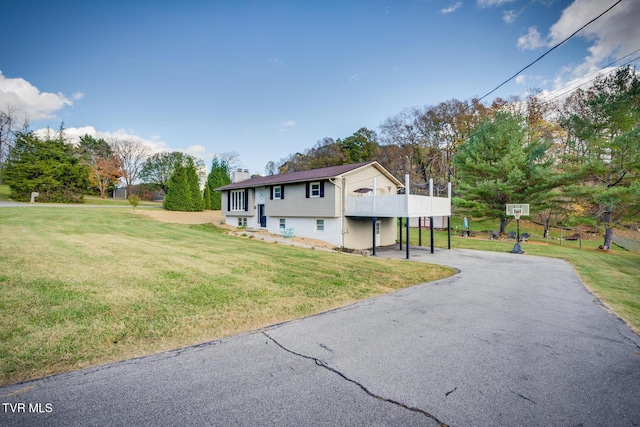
(613, 276)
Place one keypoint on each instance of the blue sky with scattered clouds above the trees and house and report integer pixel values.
(266, 79)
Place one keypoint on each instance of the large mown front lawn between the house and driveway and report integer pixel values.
(82, 287)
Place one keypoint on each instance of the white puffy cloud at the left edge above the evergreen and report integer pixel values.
(27, 99)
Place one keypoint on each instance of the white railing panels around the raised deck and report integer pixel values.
(397, 206)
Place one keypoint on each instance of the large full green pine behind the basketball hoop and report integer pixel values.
(500, 164)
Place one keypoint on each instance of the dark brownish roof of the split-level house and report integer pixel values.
(302, 176)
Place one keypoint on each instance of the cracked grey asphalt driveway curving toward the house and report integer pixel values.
(510, 340)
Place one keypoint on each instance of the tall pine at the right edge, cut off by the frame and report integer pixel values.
(602, 150)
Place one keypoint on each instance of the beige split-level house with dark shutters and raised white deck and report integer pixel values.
(352, 206)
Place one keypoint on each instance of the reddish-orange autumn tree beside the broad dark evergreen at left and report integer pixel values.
(105, 168)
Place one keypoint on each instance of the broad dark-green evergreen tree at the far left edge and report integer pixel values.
(50, 167)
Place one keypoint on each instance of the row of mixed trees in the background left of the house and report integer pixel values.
(61, 172)
